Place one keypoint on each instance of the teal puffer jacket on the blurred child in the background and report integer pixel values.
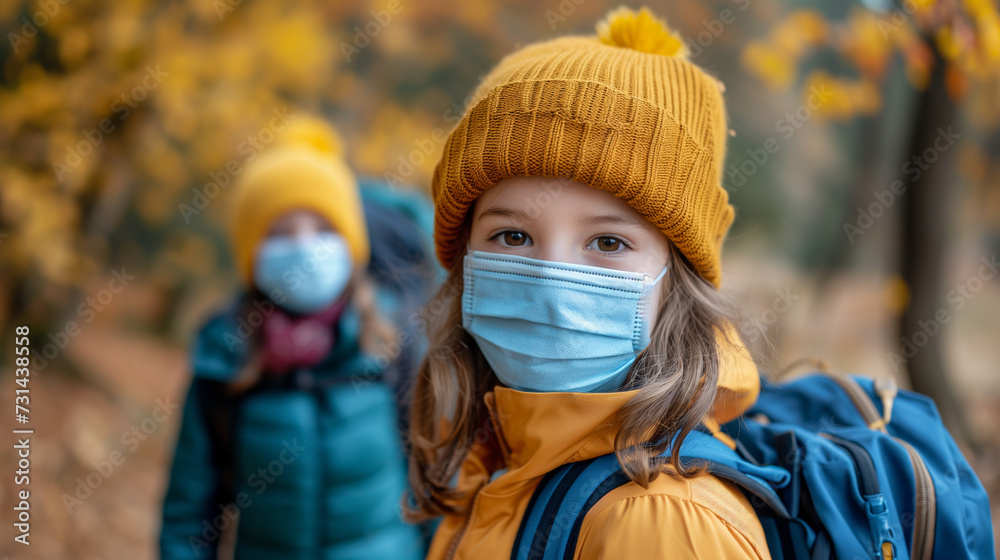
(319, 469)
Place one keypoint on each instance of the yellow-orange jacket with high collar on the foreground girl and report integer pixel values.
(703, 517)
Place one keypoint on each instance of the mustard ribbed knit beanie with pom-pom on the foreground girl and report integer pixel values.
(624, 112)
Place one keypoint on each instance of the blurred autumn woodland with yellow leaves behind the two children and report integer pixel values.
(864, 164)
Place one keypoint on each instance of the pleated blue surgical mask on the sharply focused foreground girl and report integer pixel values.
(548, 326)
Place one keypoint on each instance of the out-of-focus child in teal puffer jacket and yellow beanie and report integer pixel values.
(289, 431)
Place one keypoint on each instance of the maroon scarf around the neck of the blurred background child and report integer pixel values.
(292, 342)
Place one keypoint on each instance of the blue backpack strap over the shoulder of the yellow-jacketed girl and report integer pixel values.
(551, 524)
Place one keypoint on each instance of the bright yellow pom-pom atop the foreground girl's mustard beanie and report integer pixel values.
(640, 31)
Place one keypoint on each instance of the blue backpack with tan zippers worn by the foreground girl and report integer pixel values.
(835, 466)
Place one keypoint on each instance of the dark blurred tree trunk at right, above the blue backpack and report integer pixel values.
(925, 225)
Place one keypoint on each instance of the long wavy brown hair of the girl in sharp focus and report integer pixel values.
(676, 378)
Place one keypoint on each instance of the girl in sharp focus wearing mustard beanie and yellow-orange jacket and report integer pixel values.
(580, 212)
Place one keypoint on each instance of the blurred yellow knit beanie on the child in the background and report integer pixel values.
(304, 169)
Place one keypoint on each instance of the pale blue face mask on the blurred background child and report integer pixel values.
(305, 274)
